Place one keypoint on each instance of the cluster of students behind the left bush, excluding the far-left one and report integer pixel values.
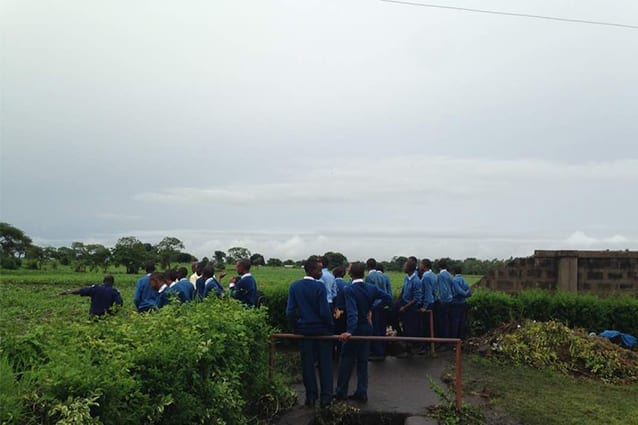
(156, 290)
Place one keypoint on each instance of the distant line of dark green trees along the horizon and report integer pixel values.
(18, 250)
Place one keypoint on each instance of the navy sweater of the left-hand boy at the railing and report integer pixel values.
(307, 310)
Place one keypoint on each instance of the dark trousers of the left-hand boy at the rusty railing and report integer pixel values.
(317, 351)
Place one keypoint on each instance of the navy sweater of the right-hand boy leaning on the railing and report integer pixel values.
(359, 299)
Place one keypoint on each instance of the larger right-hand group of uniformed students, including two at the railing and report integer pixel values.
(323, 304)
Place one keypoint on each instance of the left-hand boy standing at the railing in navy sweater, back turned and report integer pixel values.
(309, 314)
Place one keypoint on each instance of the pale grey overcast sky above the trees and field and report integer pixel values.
(297, 127)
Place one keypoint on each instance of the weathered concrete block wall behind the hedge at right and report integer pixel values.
(597, 272)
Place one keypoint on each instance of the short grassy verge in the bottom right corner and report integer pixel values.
(543, 397)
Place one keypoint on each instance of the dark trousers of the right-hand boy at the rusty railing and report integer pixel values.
(351, 354)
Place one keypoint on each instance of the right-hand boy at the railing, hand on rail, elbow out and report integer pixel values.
(360, 297)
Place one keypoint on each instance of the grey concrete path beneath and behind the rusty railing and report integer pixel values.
(396, 385)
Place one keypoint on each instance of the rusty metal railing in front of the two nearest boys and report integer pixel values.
(412, 340)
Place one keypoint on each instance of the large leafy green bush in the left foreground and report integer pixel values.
(196, 363)
